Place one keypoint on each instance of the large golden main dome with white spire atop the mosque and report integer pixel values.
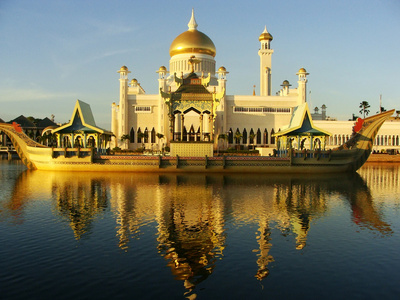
(192, 41)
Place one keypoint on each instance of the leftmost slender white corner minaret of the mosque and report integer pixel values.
(123, 101)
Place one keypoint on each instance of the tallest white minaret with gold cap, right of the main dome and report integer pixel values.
(265, 54)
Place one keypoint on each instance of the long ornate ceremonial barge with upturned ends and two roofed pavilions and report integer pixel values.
(290, 156)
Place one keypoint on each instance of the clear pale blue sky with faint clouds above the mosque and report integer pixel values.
(54, 52)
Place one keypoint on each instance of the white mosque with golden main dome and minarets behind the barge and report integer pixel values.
(193, 105)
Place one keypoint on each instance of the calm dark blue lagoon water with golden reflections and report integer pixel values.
(152, 236)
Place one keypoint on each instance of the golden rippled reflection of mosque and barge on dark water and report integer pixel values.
(191, 211)
